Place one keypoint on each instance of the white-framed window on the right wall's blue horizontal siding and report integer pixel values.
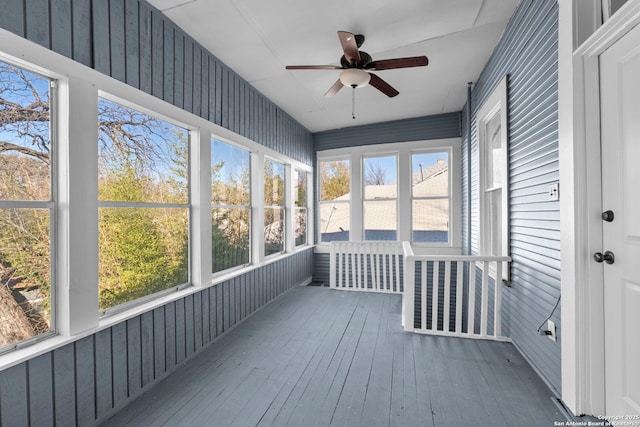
(494, 190)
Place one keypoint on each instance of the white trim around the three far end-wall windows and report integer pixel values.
(403, 150)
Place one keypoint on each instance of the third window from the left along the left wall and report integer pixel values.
(230, 206)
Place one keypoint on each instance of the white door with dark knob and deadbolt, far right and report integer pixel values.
(620, 123)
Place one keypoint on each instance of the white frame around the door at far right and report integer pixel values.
(582, 280)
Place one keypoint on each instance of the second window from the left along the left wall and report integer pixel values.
(143, 170)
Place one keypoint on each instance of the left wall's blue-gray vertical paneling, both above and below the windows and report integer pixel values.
(85, 382)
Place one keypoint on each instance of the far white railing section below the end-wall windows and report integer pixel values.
(373, 266)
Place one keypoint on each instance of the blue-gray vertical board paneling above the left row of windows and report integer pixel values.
(133, 42)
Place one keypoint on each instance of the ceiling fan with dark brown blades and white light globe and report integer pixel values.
(356, 66)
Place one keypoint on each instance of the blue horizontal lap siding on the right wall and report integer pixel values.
(528, 54)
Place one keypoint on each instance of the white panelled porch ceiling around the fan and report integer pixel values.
(257, 38)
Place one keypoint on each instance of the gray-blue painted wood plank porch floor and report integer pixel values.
(320, 357)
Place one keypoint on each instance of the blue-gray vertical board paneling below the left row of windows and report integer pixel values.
(85, 382)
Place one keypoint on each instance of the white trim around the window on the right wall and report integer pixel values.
(496, 103)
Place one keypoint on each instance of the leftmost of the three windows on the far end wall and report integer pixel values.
(335, 200)
